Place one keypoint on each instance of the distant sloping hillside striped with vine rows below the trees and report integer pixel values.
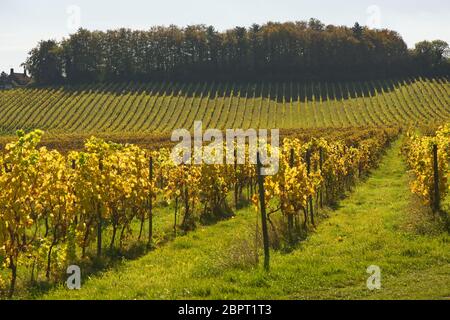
(162, 107)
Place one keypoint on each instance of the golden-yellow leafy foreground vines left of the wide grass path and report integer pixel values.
(54, 206)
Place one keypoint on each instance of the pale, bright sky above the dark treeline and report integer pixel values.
(23, 23)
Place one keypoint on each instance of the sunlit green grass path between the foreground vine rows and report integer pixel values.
(369, 228)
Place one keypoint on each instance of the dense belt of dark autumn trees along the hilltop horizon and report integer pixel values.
(292, 50)
